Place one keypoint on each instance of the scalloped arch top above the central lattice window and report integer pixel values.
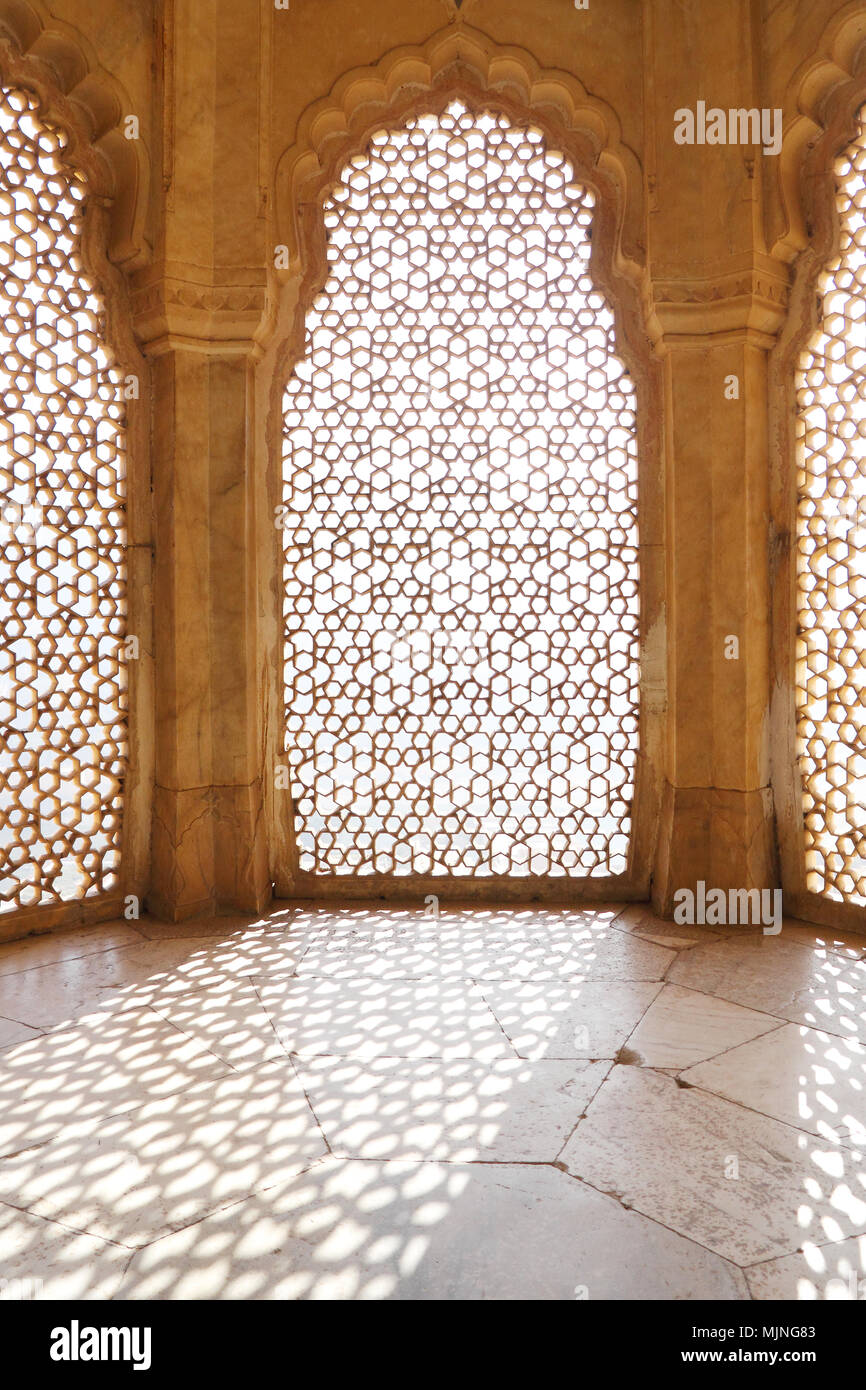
(462, 62)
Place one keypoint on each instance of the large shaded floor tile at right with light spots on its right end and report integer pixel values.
(667, 1150)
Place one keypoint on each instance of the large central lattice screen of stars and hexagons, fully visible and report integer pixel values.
(461, 522)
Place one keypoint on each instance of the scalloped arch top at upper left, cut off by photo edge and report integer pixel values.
(55, 60)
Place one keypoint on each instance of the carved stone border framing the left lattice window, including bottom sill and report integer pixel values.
(76, 108)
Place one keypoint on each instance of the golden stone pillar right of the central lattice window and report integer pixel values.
(715, 305)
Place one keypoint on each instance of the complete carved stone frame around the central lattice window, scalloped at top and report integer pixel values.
(469, 66)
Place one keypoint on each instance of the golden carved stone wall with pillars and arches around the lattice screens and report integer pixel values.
(244, 115)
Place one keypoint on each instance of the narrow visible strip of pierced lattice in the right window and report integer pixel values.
(832, 559)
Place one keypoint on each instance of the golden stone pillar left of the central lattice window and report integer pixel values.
(198, 312)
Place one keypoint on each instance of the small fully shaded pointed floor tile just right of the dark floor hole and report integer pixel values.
(683, 1028)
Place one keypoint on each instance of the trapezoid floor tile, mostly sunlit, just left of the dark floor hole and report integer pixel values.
(571, 1018)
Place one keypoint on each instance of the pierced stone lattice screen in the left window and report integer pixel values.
(63, 739)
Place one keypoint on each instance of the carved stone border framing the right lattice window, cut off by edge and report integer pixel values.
(829, 91)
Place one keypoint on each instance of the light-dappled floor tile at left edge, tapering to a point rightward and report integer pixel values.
(105, 1067)
